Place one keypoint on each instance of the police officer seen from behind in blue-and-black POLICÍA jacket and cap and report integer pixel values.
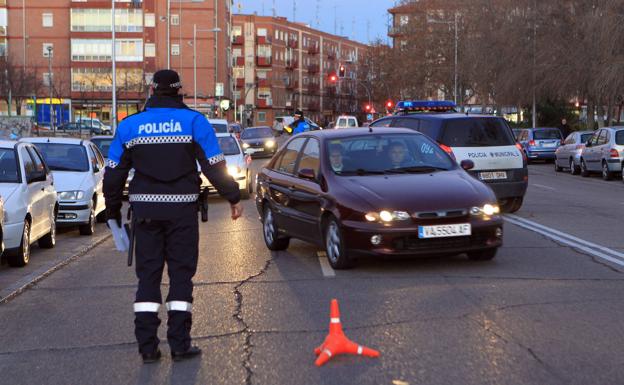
(162, 144)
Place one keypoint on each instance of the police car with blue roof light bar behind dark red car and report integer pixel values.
(486, 140)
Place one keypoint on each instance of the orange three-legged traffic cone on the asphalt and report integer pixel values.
(336, 342)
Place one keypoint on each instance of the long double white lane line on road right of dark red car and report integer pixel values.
(577, 243)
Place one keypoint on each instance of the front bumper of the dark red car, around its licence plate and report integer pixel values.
(405, 241)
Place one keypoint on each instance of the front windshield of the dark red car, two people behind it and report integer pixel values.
(386, 154)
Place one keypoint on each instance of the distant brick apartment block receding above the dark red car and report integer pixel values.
(281, 66)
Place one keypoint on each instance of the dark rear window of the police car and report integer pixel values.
(477, 132)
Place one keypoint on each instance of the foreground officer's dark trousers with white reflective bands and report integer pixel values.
(176, 243)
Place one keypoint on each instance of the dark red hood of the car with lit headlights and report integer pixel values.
(442, 190)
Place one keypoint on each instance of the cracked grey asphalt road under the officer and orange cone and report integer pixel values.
(547, 310)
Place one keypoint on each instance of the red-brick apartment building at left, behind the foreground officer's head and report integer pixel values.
(68, 43)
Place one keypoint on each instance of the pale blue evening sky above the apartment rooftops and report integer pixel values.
(361, 20)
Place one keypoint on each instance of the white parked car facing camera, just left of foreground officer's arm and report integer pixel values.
(78, 169)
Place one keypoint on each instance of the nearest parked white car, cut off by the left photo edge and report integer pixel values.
(30, 205)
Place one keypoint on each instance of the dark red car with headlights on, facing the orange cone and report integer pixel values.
(381, 192)
